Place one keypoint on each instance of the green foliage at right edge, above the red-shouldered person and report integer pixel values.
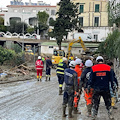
(110, 47)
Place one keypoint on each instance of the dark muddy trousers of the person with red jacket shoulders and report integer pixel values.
(96, 100)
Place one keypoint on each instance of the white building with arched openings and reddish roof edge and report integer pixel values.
(27, 12)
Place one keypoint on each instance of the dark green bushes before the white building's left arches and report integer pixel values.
(17, 27)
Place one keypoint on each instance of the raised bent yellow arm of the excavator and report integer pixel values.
(75, 41)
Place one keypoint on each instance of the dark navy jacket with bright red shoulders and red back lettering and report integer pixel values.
(100, 77)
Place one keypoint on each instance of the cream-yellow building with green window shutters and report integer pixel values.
(93, 17)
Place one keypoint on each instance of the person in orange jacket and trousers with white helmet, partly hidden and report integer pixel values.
(77, 97)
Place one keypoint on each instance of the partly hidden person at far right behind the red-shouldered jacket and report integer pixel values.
(115, 82)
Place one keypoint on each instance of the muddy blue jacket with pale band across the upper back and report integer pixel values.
(70, 78)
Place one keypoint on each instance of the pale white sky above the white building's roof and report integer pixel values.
(4, 3)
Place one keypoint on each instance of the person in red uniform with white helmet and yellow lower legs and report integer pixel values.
(39, 67)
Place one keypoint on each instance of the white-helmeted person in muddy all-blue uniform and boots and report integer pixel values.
(71, 85)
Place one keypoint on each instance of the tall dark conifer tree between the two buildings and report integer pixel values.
(65, 22)
